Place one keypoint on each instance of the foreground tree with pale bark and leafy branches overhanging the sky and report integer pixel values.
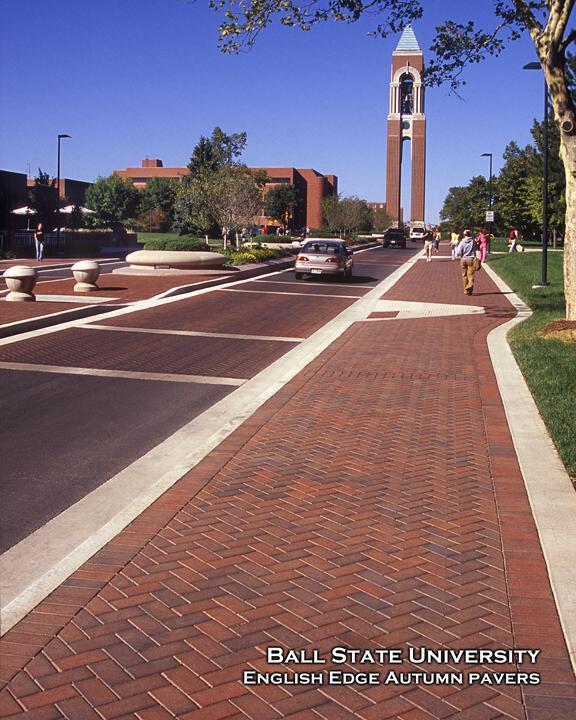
(456, 45)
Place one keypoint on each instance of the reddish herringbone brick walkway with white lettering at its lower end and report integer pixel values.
(376, 502)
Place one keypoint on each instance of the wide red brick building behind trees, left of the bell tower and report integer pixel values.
(311, 186)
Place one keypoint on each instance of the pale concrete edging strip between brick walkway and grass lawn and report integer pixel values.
(551, 494)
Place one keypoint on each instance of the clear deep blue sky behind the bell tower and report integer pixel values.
(130, 79)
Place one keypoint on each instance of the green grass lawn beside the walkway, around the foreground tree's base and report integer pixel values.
(548, 365)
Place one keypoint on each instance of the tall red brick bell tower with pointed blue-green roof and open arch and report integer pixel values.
(406, 121)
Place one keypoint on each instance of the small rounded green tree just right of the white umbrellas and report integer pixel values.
(113, 199)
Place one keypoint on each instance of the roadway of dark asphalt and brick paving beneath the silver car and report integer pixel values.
(64, 435)
